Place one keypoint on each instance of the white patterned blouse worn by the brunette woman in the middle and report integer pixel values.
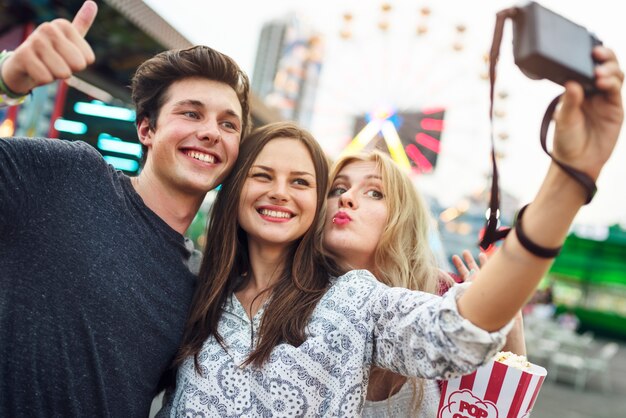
(358, 323)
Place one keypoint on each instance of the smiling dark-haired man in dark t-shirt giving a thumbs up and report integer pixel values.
(93, 264)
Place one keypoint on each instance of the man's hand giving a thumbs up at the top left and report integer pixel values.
(54, 51)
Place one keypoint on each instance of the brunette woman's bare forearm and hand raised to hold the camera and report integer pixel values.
(585, 136)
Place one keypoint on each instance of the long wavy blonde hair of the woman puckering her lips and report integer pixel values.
(403, 257)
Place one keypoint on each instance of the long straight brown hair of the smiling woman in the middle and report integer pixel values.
(303, 279)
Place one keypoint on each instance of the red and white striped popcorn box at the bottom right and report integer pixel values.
(494, 390)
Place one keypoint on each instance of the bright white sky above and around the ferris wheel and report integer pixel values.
(411, 72)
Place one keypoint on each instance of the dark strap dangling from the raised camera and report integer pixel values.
(492, 232)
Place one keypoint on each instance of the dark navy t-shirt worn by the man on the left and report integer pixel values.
(94, 286)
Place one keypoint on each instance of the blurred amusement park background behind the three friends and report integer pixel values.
(406, 76)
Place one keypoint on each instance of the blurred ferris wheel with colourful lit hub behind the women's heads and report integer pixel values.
(408, 79)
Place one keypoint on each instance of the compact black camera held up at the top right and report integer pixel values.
(547, 45)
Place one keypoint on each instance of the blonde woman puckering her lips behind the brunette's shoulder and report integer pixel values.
(391, 242)
